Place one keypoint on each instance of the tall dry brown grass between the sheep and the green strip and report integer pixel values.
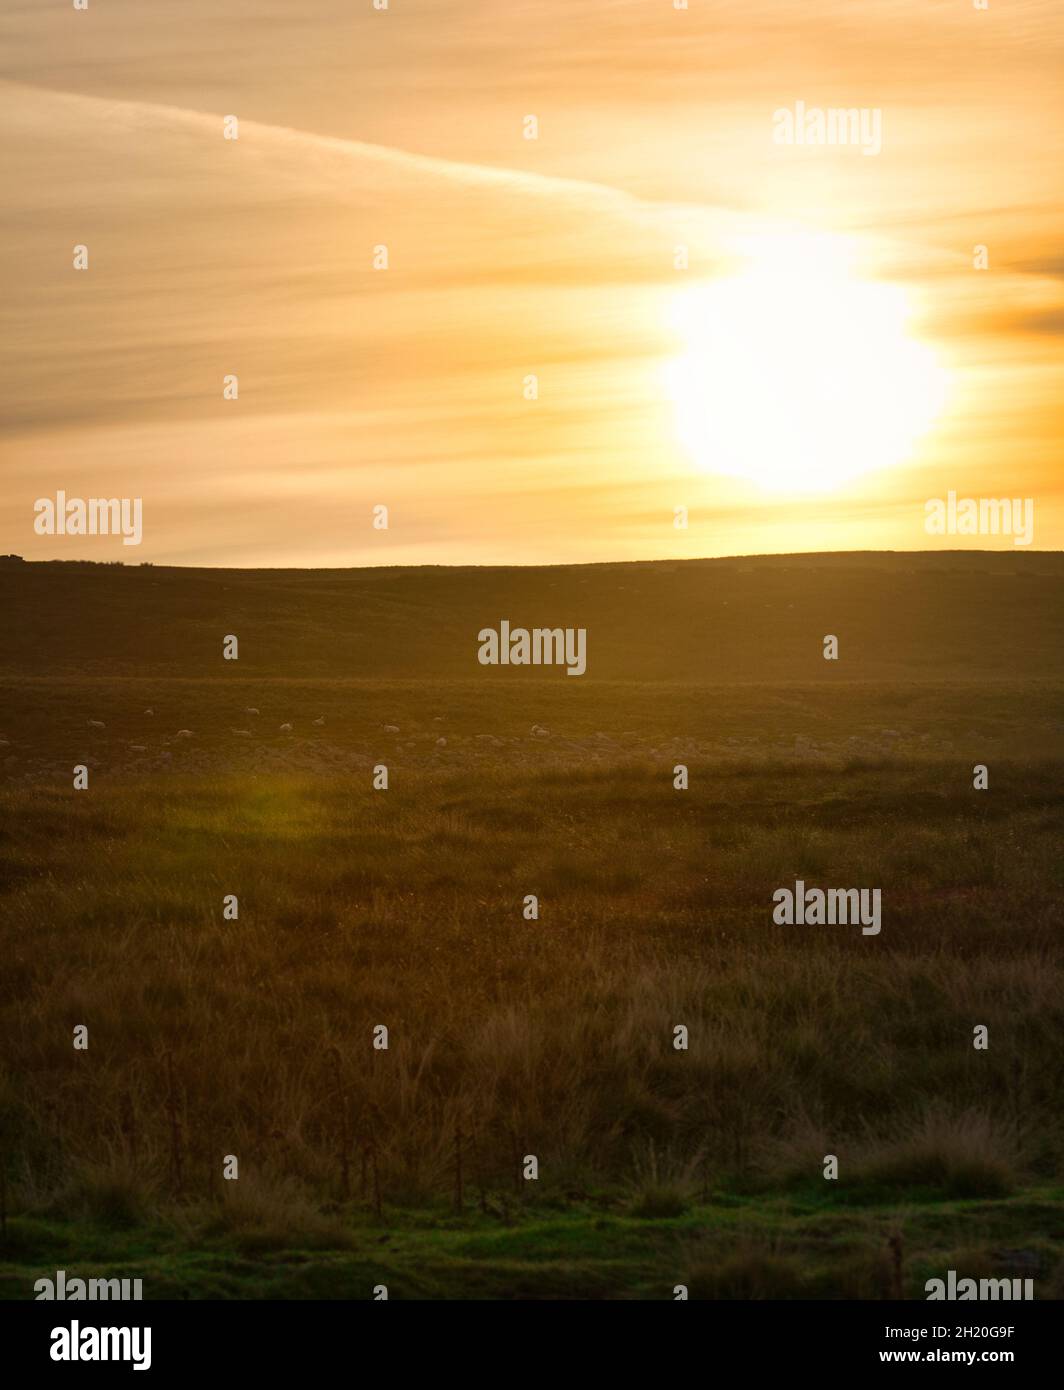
(551, 1038)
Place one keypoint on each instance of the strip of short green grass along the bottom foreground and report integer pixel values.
(723, 1249)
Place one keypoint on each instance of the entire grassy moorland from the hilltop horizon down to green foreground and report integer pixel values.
(550, 1038)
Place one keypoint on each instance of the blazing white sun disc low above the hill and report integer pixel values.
(796, 373)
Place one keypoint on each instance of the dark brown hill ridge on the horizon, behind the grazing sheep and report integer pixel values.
(899, 616)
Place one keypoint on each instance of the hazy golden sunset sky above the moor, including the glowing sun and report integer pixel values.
(656, 312)
